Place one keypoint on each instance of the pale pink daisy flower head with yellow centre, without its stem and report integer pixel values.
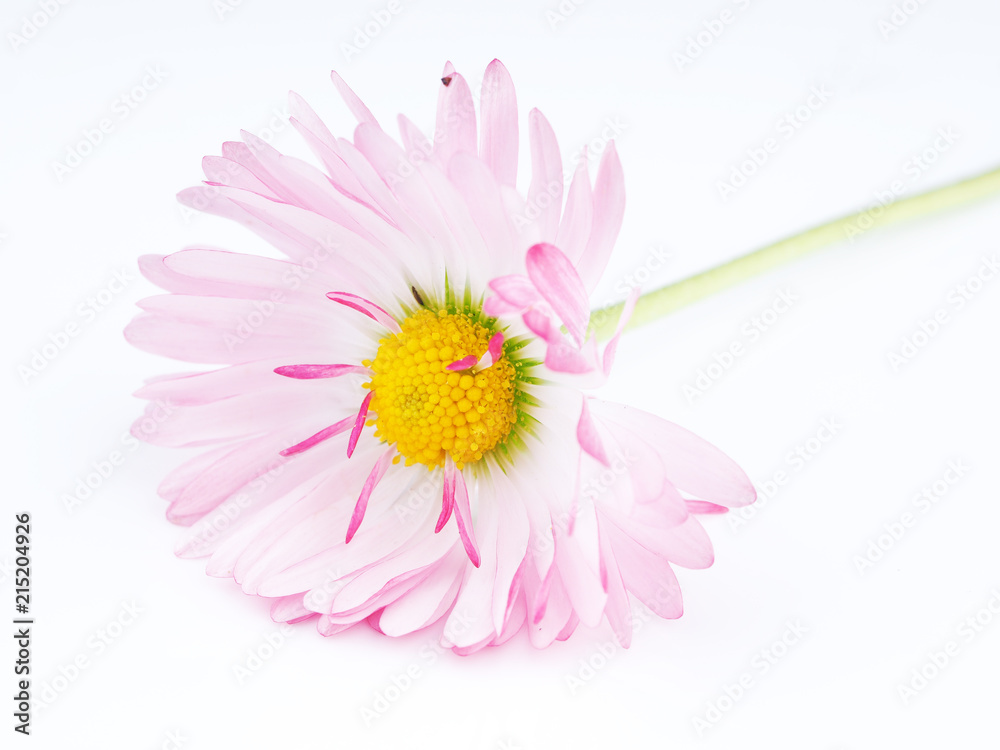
(401, 432)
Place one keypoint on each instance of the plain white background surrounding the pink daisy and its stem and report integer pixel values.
(683, 129)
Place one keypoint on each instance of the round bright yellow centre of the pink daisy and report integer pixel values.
(429, 412)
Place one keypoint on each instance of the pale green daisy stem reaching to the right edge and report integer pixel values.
(661, 302)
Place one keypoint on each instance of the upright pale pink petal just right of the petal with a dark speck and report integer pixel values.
(498, 139)
